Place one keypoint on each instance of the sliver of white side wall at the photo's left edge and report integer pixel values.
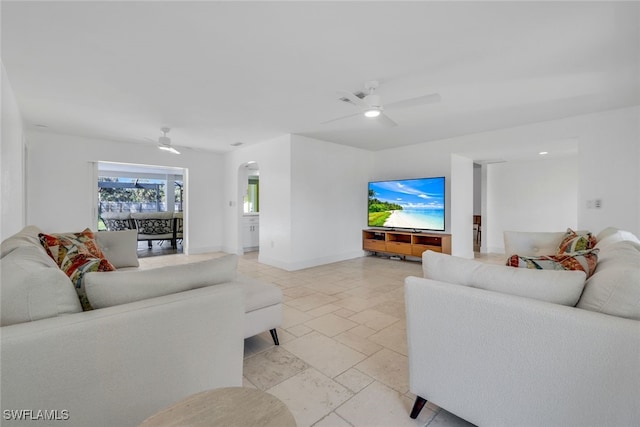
(12, 163)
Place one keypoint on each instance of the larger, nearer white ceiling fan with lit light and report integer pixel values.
(372, 107)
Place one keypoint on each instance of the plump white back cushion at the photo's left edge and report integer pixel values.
(33, 287)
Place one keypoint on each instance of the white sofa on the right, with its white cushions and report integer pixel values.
(486, 343)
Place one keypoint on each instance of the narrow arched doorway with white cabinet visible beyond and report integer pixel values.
(249, 192)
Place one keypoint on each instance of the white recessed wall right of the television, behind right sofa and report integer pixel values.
(531, 195)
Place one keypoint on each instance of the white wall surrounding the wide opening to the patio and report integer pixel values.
(61, 188)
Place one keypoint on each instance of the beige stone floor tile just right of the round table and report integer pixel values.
(310, 396)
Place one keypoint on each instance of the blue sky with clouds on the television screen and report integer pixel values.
(411, 193)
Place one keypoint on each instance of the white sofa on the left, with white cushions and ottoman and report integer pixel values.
(154, 336)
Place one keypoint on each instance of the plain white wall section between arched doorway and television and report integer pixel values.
(329, 201)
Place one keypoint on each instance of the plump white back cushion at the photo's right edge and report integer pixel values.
(615, 286)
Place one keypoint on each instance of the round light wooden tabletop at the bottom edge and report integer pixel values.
(228, 407)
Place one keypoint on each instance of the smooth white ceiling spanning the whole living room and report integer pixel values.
(223, 72)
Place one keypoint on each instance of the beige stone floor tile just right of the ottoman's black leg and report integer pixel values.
(325, 354)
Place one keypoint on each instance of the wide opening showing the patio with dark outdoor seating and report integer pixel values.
(150, 199)
